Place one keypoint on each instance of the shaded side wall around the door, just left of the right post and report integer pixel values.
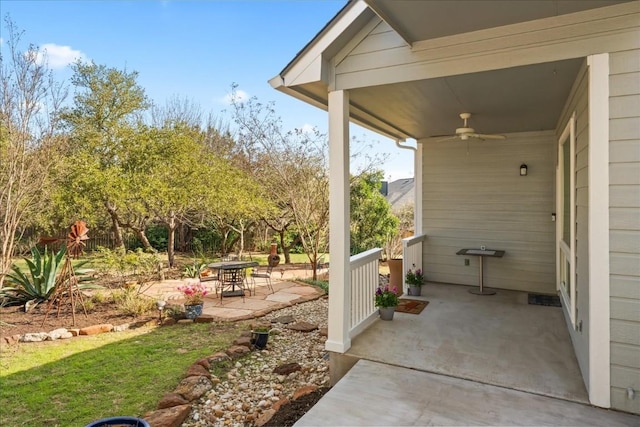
(578, 102)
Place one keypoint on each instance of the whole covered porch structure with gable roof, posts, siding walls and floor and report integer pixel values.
(545, 171)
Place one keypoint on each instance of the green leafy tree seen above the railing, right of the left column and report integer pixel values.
(371, 218)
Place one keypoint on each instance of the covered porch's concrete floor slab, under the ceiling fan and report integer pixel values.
(496, 339)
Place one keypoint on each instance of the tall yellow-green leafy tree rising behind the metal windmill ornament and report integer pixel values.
(103, 122)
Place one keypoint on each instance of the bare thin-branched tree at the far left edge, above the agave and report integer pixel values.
(29, 102)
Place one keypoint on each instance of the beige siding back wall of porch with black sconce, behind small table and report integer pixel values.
(478, 198)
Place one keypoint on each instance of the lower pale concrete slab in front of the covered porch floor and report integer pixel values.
(377, 394)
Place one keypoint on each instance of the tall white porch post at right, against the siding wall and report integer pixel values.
(599, 283)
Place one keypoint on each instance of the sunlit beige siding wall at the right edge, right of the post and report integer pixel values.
(624, 181)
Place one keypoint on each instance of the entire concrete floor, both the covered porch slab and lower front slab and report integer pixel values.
(465, 360)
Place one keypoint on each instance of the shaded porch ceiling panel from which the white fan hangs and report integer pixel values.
(518, 99)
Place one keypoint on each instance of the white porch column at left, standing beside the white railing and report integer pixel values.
(338, 339)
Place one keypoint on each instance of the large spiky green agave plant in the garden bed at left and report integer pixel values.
(39, 283)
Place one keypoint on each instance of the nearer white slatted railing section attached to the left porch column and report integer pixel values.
(365, 271)
